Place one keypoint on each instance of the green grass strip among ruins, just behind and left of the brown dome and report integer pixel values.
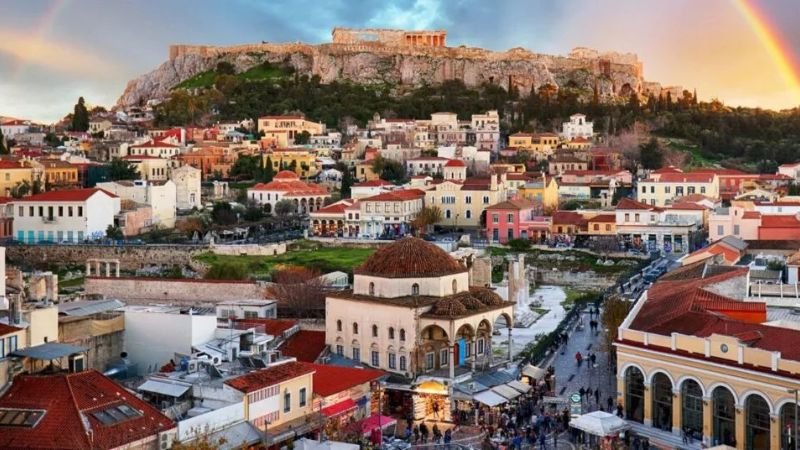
(324, 259)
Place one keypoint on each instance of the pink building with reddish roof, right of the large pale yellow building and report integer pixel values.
(515, 219)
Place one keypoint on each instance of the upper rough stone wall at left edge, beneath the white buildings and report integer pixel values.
(130, 257)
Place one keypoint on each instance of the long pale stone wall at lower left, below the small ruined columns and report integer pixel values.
(188, 292)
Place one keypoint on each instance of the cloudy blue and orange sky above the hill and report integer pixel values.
(743, 52)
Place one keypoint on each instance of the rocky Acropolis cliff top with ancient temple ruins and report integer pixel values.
(407, 58)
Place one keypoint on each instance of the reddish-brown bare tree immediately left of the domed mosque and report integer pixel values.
(300, 292)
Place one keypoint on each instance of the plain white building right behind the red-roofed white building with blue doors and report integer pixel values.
(160, 196)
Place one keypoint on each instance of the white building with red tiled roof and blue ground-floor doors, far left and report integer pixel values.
(69, 215)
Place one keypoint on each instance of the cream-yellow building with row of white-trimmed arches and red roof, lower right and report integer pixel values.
(691, 355)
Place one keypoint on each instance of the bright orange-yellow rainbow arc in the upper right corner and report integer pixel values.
(773, 43)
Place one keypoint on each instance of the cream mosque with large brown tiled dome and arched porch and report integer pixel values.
(411, 312)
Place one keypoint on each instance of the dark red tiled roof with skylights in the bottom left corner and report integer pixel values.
(70, 402)
